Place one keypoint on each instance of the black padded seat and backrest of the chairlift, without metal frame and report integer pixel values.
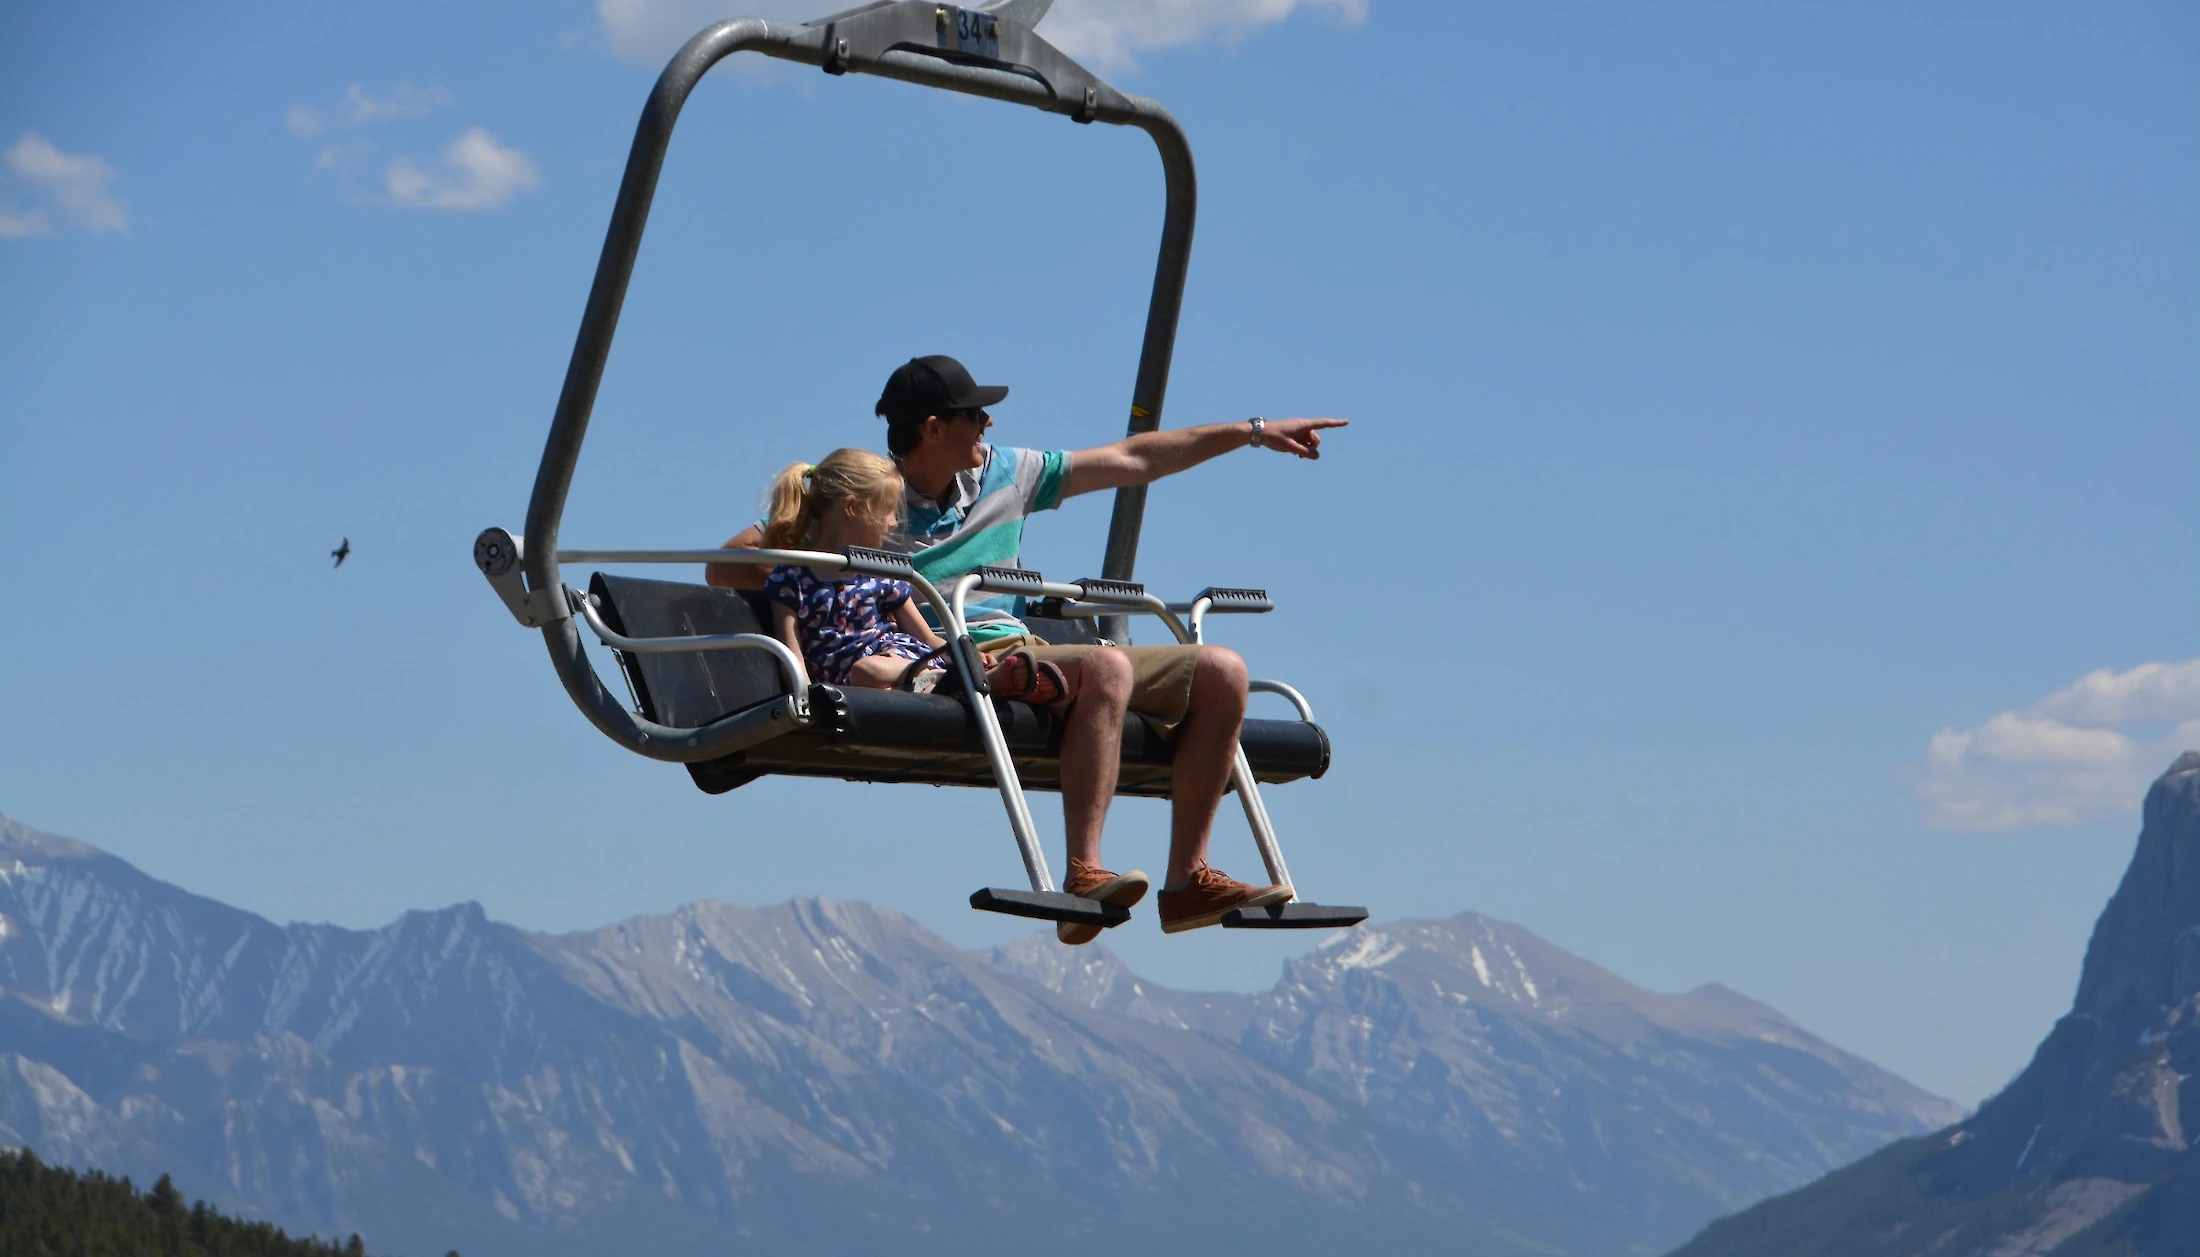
(877, 734)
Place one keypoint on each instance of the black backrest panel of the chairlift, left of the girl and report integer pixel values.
(690, 688)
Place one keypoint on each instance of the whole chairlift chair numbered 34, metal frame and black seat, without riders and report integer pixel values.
(712, 690)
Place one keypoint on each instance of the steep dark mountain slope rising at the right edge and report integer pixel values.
(2091, 1150)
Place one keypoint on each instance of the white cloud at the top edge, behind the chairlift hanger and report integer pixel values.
(1105, 34)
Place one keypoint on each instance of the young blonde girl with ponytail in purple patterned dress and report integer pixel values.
(863, 631)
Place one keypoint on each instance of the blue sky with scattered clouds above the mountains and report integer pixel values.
(1765, 426)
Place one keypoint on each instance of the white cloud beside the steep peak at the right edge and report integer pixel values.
(2082, 752)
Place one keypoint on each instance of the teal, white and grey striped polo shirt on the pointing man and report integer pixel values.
(980, 523)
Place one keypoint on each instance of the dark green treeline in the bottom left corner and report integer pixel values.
(49, 1212)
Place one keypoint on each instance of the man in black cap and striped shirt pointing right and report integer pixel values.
(965, 507)
